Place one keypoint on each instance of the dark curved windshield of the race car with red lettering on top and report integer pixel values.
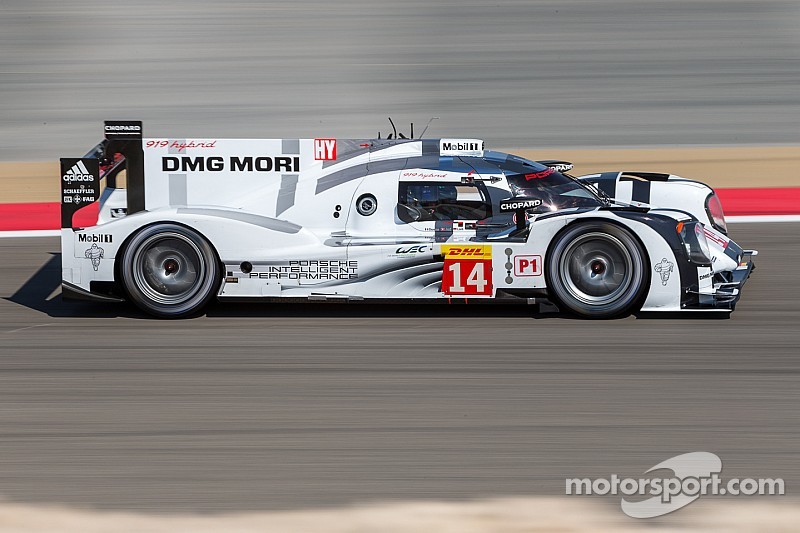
(534, 180)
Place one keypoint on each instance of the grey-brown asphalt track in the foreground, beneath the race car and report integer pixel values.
(263, 407)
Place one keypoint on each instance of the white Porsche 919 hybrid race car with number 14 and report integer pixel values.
(429, 220)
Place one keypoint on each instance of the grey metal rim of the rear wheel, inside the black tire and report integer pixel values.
(168, 268)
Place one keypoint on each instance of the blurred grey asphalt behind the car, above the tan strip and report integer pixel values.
(561, 73)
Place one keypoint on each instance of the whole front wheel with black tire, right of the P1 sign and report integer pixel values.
(597, 270)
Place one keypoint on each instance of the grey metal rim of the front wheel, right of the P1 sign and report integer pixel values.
(596, 268)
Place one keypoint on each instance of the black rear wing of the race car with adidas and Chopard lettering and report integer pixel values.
(80, 177)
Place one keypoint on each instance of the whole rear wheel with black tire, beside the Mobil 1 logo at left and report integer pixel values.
(169, 271)
